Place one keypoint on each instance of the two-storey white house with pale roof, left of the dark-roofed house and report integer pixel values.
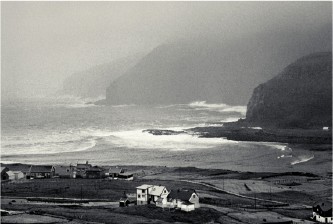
(147, 194)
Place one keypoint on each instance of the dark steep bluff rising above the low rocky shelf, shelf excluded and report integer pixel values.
(299, 97)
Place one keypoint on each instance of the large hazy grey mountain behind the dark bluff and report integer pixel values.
(213, 71)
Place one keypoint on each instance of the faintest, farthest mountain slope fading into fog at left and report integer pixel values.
(94, 81)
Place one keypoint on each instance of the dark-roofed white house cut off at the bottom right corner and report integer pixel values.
(322, 212)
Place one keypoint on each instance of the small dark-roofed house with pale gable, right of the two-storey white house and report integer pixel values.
(180, 197)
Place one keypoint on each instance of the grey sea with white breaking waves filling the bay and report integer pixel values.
(66, 130)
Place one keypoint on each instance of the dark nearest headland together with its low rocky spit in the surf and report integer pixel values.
(293, 107)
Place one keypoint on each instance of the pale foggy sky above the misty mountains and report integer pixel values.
(44, 42)
